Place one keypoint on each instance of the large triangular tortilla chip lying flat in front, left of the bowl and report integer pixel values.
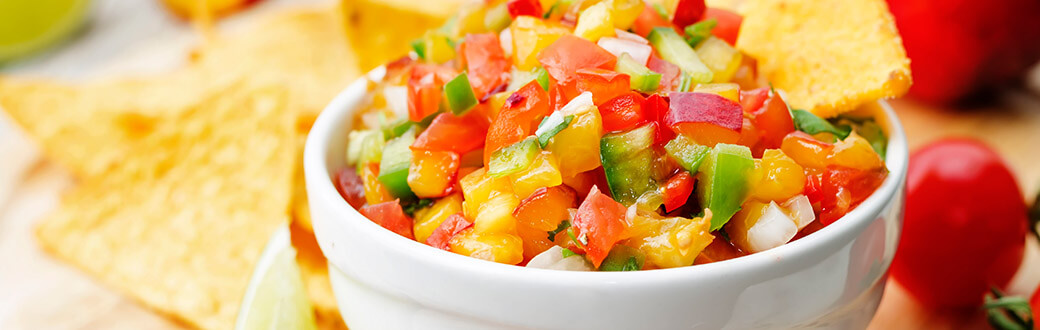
(181, 225)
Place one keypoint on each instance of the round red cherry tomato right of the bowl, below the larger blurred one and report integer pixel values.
(966, 225)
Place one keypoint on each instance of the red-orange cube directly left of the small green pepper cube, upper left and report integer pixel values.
(425, 90)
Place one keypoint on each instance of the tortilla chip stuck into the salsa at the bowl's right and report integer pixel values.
(828, 57)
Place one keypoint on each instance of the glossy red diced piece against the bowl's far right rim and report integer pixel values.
(844, 189)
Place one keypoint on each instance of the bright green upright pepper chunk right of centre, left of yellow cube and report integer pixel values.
(723, 185)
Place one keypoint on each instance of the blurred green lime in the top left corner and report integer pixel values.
(31, 26)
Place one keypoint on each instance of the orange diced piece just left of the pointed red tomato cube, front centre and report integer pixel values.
(545, 209)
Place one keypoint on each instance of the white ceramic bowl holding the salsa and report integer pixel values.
(831, 280)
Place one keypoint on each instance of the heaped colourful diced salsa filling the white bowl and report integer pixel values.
(599, 136)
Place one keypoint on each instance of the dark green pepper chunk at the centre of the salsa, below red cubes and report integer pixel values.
(628, 159)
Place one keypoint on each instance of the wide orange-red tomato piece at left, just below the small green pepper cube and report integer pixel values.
(451, 133)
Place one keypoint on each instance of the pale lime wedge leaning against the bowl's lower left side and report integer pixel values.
(276, 298)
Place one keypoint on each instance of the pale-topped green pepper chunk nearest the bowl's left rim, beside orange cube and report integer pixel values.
(394, 167)
